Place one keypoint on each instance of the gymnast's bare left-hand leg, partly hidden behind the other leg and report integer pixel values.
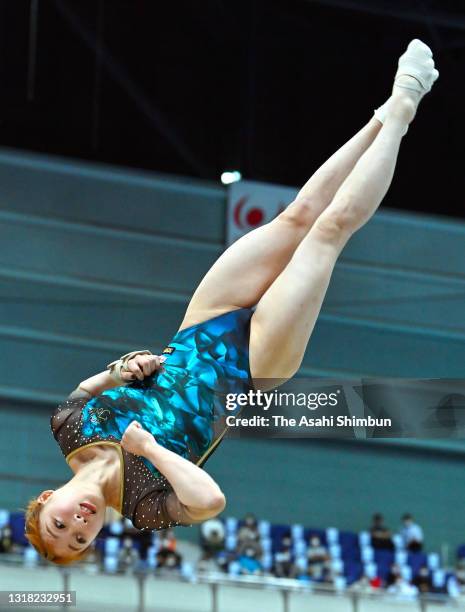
(248, 267)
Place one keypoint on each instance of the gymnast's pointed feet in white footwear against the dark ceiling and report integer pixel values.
(414, 78)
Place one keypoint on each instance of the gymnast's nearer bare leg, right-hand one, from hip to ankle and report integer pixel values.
(286, 314)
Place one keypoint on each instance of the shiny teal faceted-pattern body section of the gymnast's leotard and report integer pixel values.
(184, 406)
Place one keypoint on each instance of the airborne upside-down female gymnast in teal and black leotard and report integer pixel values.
(137, 435)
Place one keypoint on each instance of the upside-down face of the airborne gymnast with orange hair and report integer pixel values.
(66, 525)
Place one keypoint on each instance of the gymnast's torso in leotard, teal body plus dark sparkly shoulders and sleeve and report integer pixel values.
(182, 406)
